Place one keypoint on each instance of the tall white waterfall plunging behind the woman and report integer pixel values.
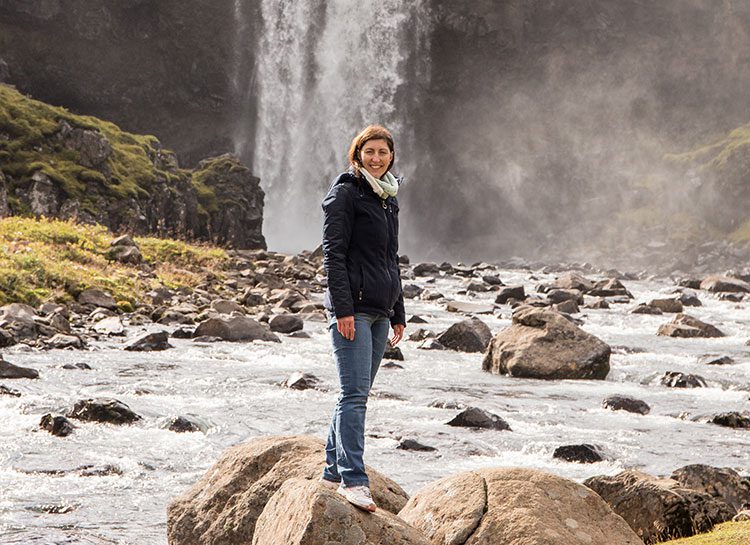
(325, 69)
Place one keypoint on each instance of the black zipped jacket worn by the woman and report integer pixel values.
(360, 249)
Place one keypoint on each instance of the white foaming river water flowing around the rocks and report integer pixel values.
(234, 390)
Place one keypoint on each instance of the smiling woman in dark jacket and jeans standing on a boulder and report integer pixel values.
(364, 297)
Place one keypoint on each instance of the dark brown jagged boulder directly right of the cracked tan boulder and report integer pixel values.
(659, 509)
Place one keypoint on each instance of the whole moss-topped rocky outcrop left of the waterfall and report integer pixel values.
(57, 164)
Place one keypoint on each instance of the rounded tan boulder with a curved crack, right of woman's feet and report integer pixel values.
(514, 506)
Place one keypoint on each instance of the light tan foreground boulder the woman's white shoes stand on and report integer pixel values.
(304, 512)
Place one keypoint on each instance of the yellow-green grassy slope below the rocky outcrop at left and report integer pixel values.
(51, 260)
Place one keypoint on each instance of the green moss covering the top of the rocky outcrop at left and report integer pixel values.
(28, 144)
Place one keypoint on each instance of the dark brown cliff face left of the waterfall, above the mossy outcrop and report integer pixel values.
(162, 67)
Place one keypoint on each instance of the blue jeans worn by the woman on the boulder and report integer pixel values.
(357, 362)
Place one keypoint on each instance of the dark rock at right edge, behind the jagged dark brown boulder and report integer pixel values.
(721, 483)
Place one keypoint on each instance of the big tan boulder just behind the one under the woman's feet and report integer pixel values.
(224, 505)
